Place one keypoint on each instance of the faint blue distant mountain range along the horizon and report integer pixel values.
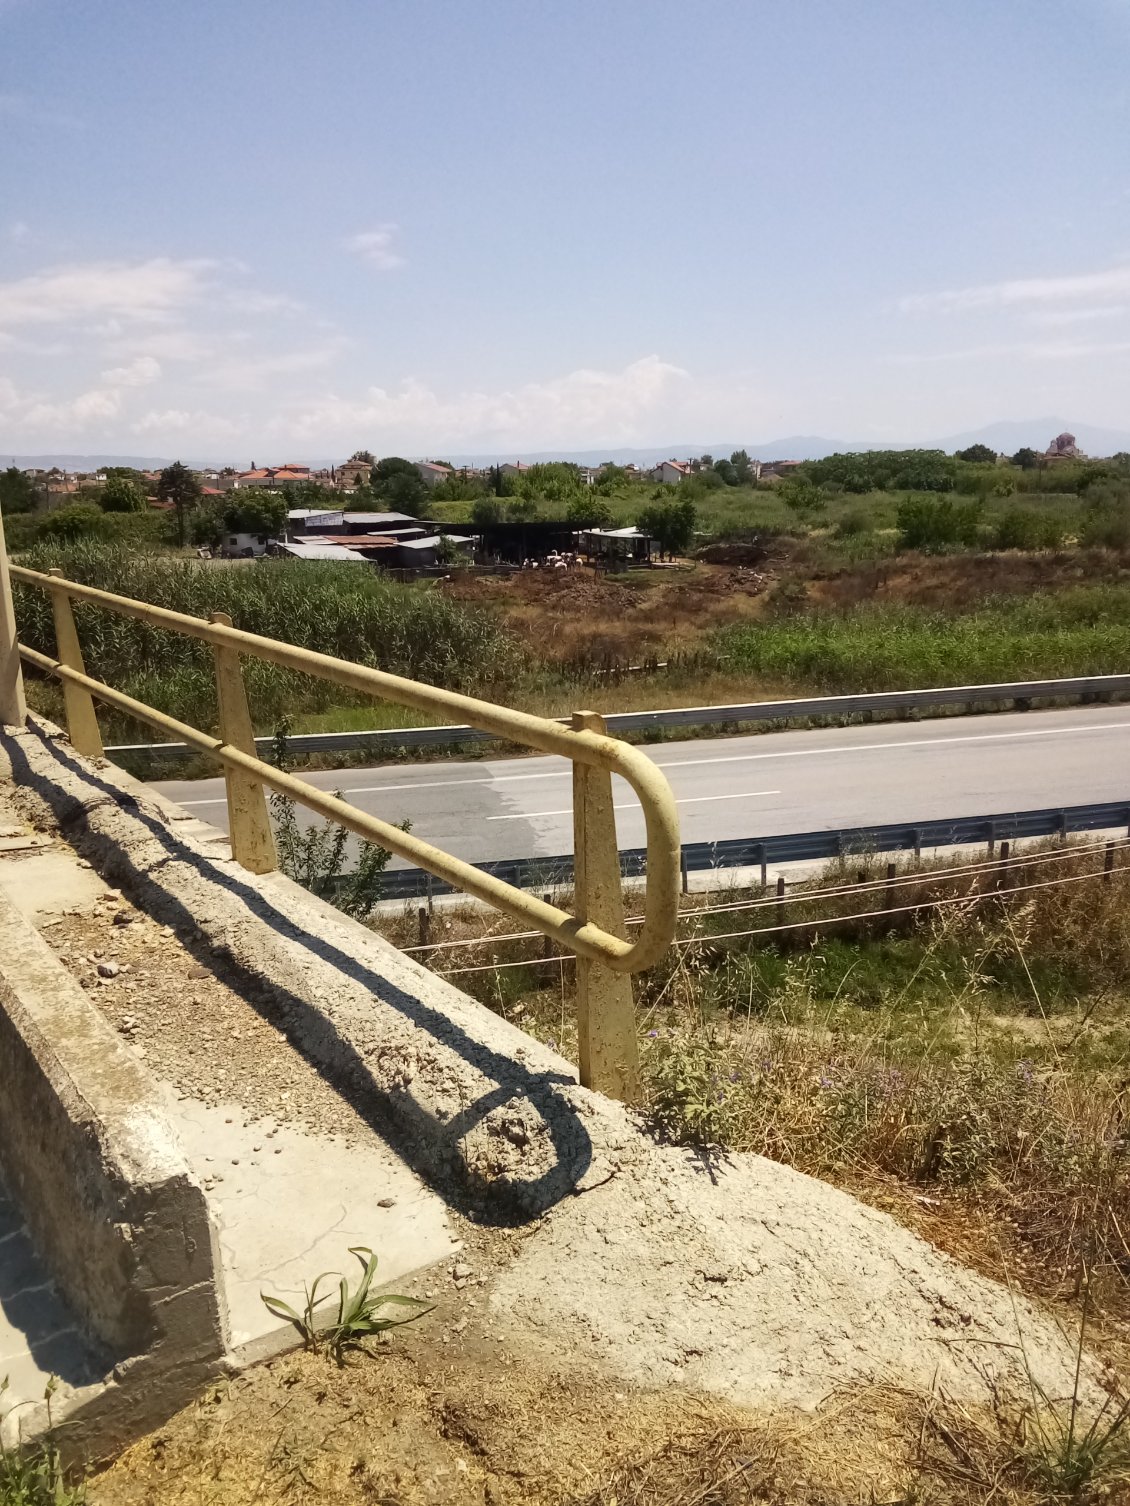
(1006, 437)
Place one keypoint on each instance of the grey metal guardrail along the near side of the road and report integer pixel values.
(698, 858)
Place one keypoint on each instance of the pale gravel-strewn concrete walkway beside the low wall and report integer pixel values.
(287, 1201)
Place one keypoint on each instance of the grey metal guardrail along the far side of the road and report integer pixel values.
(890, 703)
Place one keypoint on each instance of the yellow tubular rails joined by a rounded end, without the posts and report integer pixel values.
(551, 737)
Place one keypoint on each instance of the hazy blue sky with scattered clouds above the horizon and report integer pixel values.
(286, 230)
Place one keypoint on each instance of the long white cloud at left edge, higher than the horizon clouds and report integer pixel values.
(150, 291)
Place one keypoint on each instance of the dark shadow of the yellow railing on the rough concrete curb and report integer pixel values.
(432, 1145)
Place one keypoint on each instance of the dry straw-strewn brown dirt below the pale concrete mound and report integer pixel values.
(423, 1421)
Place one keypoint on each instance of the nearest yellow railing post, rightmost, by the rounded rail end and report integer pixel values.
(606, 1011)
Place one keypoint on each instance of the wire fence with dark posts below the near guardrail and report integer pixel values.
(1003, 870)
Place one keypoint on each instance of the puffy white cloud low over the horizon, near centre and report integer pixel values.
(579, 407)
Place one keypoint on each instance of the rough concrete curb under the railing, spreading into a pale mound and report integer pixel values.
(611, 1252)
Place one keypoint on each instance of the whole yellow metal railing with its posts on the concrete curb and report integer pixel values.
(594, 933)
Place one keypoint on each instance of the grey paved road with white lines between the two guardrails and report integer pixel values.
(754, 787)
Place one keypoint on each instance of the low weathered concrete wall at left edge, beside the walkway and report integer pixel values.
(97, 1172)
